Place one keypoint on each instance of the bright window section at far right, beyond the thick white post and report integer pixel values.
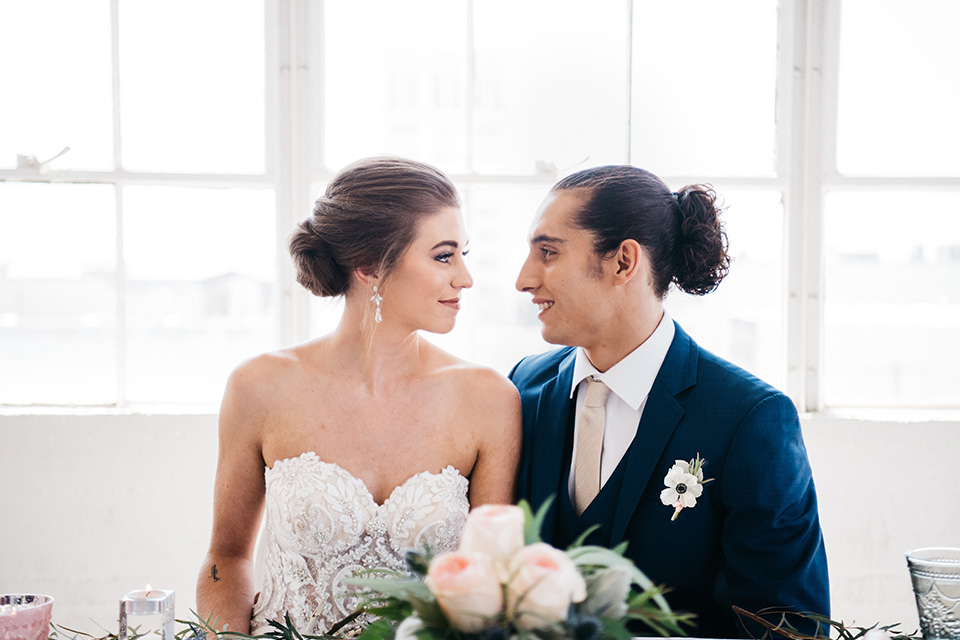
(892, 208)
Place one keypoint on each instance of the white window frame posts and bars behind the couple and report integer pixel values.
(809, 45)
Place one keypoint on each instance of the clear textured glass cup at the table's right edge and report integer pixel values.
(935, 572)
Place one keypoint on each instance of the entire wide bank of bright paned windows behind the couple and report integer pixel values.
(141, 265)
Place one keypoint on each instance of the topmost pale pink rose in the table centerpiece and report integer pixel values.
(495, 530)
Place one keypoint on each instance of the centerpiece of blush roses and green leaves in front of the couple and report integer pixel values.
(503, 582)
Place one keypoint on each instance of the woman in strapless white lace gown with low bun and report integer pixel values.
(366, 442)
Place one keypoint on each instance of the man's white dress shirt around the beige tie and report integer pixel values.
(630, 381)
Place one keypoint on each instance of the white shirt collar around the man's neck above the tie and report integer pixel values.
(631, 378)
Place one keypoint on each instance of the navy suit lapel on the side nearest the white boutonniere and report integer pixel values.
(660, 417)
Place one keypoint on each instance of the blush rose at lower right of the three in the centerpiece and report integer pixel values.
(543, 585)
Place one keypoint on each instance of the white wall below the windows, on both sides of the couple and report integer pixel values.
(94, 506)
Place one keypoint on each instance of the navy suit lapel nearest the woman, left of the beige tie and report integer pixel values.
(549, 437)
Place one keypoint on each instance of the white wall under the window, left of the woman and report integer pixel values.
(95, 506)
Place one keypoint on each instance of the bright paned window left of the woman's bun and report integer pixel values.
(139, 264)
